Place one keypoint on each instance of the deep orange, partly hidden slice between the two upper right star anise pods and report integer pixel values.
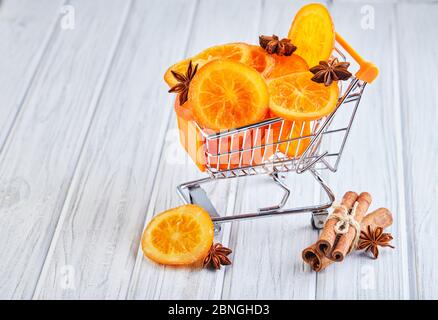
(284, 65)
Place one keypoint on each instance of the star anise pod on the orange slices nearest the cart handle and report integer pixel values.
(328, 71)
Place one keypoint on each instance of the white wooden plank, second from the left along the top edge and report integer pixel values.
(42, 152)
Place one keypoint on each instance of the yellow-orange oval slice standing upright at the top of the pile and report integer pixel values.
(313, 33)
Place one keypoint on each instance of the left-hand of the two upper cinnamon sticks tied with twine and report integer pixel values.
(328, 237)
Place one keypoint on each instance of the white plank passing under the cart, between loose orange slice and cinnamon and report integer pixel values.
(267, 252)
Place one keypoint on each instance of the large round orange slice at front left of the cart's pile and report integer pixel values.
(225, 94)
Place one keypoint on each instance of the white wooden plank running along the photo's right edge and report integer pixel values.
(419, 102)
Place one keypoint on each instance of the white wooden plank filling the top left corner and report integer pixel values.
(25, 28)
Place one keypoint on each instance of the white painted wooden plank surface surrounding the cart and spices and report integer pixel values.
(89, 153)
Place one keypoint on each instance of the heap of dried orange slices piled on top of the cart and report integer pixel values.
(238, 84)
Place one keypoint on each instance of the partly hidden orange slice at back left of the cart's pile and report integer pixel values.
(233, 51)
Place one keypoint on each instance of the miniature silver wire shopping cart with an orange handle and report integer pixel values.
(313, 159)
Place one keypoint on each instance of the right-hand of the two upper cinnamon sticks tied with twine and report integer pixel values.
(345, 241)
